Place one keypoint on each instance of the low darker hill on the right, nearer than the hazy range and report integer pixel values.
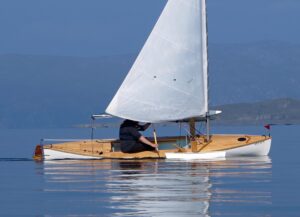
(279, 111)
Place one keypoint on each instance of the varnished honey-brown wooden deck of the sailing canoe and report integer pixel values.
(110, 149)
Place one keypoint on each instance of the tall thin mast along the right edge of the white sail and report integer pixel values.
(205, 63)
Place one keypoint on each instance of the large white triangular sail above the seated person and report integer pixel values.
(168, 80)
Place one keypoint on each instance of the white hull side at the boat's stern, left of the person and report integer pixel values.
(59, 155)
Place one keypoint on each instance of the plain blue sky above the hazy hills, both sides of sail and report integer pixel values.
(107, 27)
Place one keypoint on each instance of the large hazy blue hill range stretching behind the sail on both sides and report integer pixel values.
(48, 91)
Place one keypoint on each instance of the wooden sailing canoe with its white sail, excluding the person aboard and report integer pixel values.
(167, 83)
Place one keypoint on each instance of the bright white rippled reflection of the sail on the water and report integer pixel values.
(158, 189)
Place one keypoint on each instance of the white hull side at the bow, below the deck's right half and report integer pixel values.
(255, 149)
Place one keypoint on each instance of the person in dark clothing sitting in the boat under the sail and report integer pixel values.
(132, 141)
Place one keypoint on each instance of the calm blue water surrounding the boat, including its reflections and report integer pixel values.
(267, 186)
